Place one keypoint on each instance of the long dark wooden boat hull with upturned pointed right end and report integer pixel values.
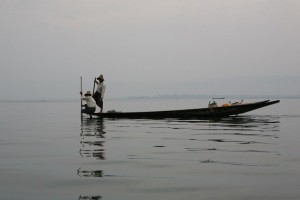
(212, 112)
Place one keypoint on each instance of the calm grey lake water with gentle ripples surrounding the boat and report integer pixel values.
(48, 152)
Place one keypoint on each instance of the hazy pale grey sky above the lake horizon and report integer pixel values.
(149, 47)
